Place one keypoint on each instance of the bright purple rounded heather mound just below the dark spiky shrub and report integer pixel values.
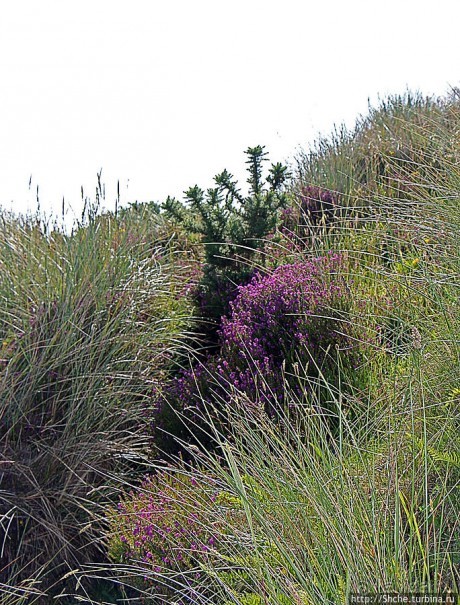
(281, 319)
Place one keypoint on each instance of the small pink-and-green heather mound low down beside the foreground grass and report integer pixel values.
(169, 526)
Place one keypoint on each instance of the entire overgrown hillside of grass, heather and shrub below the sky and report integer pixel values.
(242, 398)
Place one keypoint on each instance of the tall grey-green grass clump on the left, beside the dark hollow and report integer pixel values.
(89, 322)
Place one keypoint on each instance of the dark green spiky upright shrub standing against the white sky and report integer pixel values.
(232, 226)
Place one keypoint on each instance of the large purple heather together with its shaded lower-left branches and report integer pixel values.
(278, 323)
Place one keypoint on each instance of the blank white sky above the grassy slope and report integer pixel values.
(164, 94)
